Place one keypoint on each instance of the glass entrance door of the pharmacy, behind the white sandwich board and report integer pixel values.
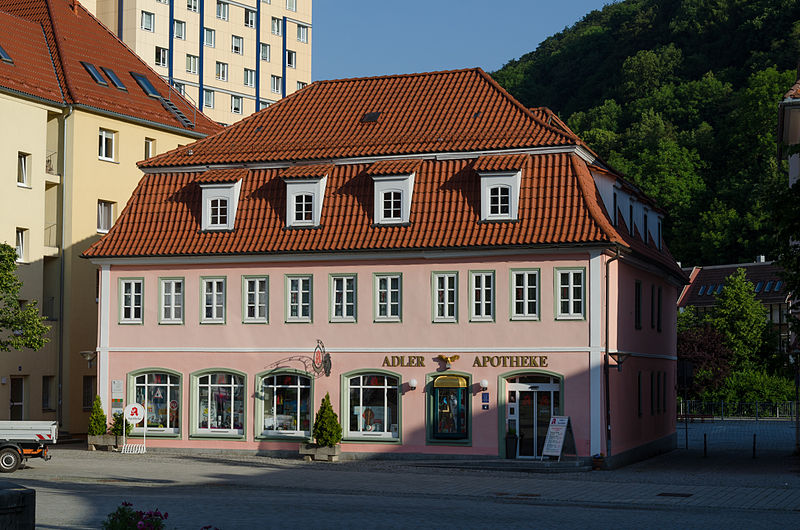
(529, 408)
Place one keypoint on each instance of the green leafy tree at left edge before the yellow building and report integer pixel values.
(20, 326)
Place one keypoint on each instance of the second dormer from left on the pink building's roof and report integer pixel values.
(305, 194)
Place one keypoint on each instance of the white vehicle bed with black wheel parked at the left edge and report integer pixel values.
(20, 440)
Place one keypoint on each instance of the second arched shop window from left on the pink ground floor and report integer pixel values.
(219, 402)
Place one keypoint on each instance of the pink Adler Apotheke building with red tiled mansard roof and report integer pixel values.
(468, 264)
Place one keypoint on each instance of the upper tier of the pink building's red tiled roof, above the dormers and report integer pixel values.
(454, 111)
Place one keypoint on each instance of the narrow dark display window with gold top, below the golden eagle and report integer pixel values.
(450, 408)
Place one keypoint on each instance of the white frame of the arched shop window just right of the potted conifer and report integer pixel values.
(391, 431)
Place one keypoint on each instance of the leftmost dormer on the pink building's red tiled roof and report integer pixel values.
(220, 193)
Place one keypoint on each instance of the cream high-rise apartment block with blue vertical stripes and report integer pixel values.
(230, 58)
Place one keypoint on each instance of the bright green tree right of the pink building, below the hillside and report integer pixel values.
(741, 319)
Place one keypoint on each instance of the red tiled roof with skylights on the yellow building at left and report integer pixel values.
(75, 35)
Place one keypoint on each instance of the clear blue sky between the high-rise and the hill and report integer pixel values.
(356, 38)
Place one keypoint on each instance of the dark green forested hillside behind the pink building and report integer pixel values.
(680, 96)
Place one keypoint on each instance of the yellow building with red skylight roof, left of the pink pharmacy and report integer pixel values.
(79, 110)
